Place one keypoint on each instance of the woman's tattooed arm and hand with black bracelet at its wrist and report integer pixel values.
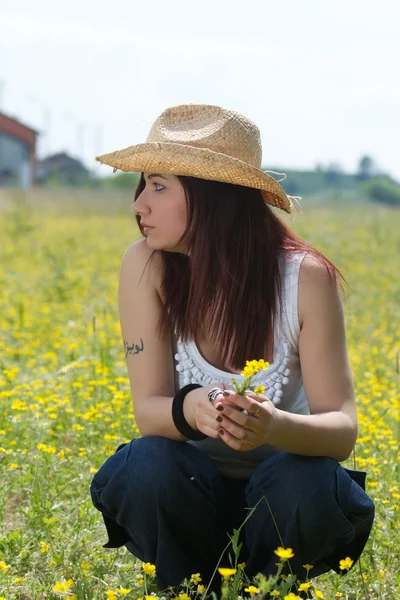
(149, 355)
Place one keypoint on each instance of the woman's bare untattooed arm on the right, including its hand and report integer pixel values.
(331, 428)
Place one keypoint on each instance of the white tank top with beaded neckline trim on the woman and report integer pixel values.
(282, 380)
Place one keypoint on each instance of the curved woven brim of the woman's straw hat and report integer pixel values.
(181, 159)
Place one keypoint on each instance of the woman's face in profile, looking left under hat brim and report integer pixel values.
(162, 206)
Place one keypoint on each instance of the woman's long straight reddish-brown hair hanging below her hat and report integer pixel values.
(230, 278)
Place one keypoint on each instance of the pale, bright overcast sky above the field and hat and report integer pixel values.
(318, 77)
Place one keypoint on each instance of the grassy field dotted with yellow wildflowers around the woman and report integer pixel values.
(65, 399)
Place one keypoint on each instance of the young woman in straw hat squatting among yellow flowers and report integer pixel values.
(216, 280)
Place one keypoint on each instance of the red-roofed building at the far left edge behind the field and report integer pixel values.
(17, 153)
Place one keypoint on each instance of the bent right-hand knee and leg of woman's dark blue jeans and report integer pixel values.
(319, 508)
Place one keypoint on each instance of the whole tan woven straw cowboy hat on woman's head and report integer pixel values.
(205, 141)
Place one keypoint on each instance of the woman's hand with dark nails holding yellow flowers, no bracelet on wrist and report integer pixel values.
(243, 431)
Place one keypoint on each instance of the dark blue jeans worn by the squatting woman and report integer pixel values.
(168, 504)
